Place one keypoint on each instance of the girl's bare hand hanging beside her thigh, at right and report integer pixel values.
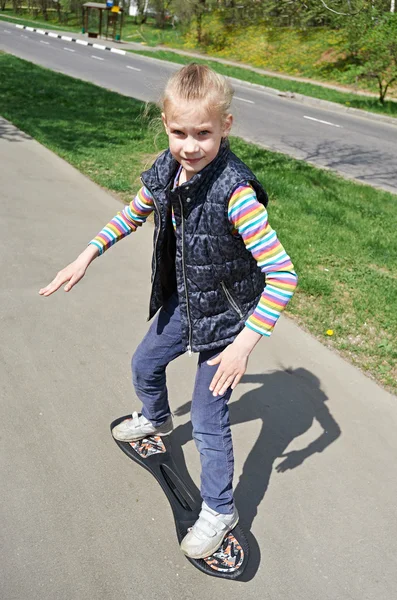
(232, 366)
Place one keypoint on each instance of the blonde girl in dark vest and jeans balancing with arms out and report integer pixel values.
(220, 279)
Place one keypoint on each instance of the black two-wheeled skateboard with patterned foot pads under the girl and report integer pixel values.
(154, 454)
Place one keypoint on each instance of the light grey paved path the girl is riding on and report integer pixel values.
(78, 520)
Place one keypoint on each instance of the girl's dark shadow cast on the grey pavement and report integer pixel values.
(287, 402)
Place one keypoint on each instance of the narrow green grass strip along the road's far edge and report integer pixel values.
(308, 89)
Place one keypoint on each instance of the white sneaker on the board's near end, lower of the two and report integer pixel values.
(208, 532)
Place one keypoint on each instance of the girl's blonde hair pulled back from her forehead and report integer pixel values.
(198, 83)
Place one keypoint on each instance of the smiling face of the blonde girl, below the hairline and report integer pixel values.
(194, 135)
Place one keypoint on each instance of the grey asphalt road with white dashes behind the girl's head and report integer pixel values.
(351, 145)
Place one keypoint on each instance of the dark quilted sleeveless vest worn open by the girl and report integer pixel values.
(217, 280)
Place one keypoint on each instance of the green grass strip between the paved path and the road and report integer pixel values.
(341, 235)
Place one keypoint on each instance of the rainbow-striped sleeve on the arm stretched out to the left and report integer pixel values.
(126, 221)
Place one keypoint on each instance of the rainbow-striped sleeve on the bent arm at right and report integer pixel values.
(249, 219)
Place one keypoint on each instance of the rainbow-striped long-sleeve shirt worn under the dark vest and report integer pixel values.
(249, 219)
